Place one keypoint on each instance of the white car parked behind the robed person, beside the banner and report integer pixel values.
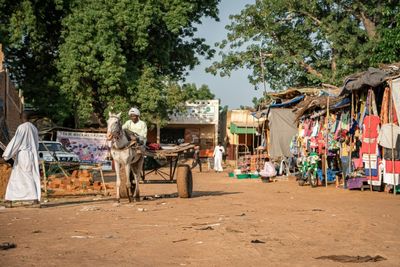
(55, 151)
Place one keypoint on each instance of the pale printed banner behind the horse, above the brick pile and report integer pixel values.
(91, 148)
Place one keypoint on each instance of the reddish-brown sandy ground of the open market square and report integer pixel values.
(214, 228)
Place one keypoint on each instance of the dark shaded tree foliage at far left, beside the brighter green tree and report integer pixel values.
(30, 34)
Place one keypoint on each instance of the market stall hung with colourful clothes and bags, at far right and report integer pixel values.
(356, 133)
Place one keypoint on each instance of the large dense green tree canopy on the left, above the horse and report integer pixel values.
(87, 56)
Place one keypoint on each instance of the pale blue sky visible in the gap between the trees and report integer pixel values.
(234, 90)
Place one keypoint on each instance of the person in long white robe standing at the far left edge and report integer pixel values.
(24, 182)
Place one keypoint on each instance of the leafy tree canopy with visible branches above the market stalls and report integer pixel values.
(309, 42)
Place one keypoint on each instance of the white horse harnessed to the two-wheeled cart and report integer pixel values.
(128, 154)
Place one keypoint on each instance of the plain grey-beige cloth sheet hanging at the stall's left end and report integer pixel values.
(282, 127)
